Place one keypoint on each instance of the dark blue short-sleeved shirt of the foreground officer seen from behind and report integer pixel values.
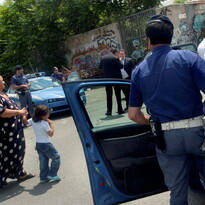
(169, 82)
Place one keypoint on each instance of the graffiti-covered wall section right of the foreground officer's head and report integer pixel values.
(189, 22)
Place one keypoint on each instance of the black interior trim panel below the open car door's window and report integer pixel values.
(130, 156)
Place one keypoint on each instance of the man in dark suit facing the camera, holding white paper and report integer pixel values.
(128, 66)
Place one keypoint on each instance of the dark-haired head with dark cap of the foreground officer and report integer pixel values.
(159, 30)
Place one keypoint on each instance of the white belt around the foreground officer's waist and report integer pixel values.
(186, 123)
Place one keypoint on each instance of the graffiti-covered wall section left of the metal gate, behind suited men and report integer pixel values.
(84, 51)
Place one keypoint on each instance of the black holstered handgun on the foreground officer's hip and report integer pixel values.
(158, 134)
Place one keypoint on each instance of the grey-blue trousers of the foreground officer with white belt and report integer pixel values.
(176, 161)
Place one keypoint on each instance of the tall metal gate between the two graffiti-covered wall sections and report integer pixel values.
(132, 29)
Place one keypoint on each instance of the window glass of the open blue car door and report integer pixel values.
(96, 106)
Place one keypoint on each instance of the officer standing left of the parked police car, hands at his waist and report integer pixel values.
(21, 84)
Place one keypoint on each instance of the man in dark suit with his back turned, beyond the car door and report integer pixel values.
(111, 66)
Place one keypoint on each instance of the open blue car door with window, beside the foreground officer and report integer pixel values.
(120, 154)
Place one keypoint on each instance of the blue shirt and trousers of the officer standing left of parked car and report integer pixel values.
(24, 95)
